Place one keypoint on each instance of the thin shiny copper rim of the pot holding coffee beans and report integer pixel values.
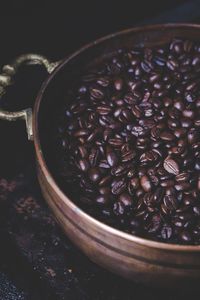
(49, 177)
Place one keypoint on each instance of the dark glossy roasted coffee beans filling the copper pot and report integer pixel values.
(130, 139)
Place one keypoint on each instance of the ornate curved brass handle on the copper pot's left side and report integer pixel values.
(6, 79)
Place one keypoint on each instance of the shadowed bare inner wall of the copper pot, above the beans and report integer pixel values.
(65, 77)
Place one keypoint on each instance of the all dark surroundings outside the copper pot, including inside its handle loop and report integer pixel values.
(31, 243)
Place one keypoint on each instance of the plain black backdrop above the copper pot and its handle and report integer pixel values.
(56, 28)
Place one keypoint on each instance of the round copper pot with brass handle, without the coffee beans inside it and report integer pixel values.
(130, 256)
